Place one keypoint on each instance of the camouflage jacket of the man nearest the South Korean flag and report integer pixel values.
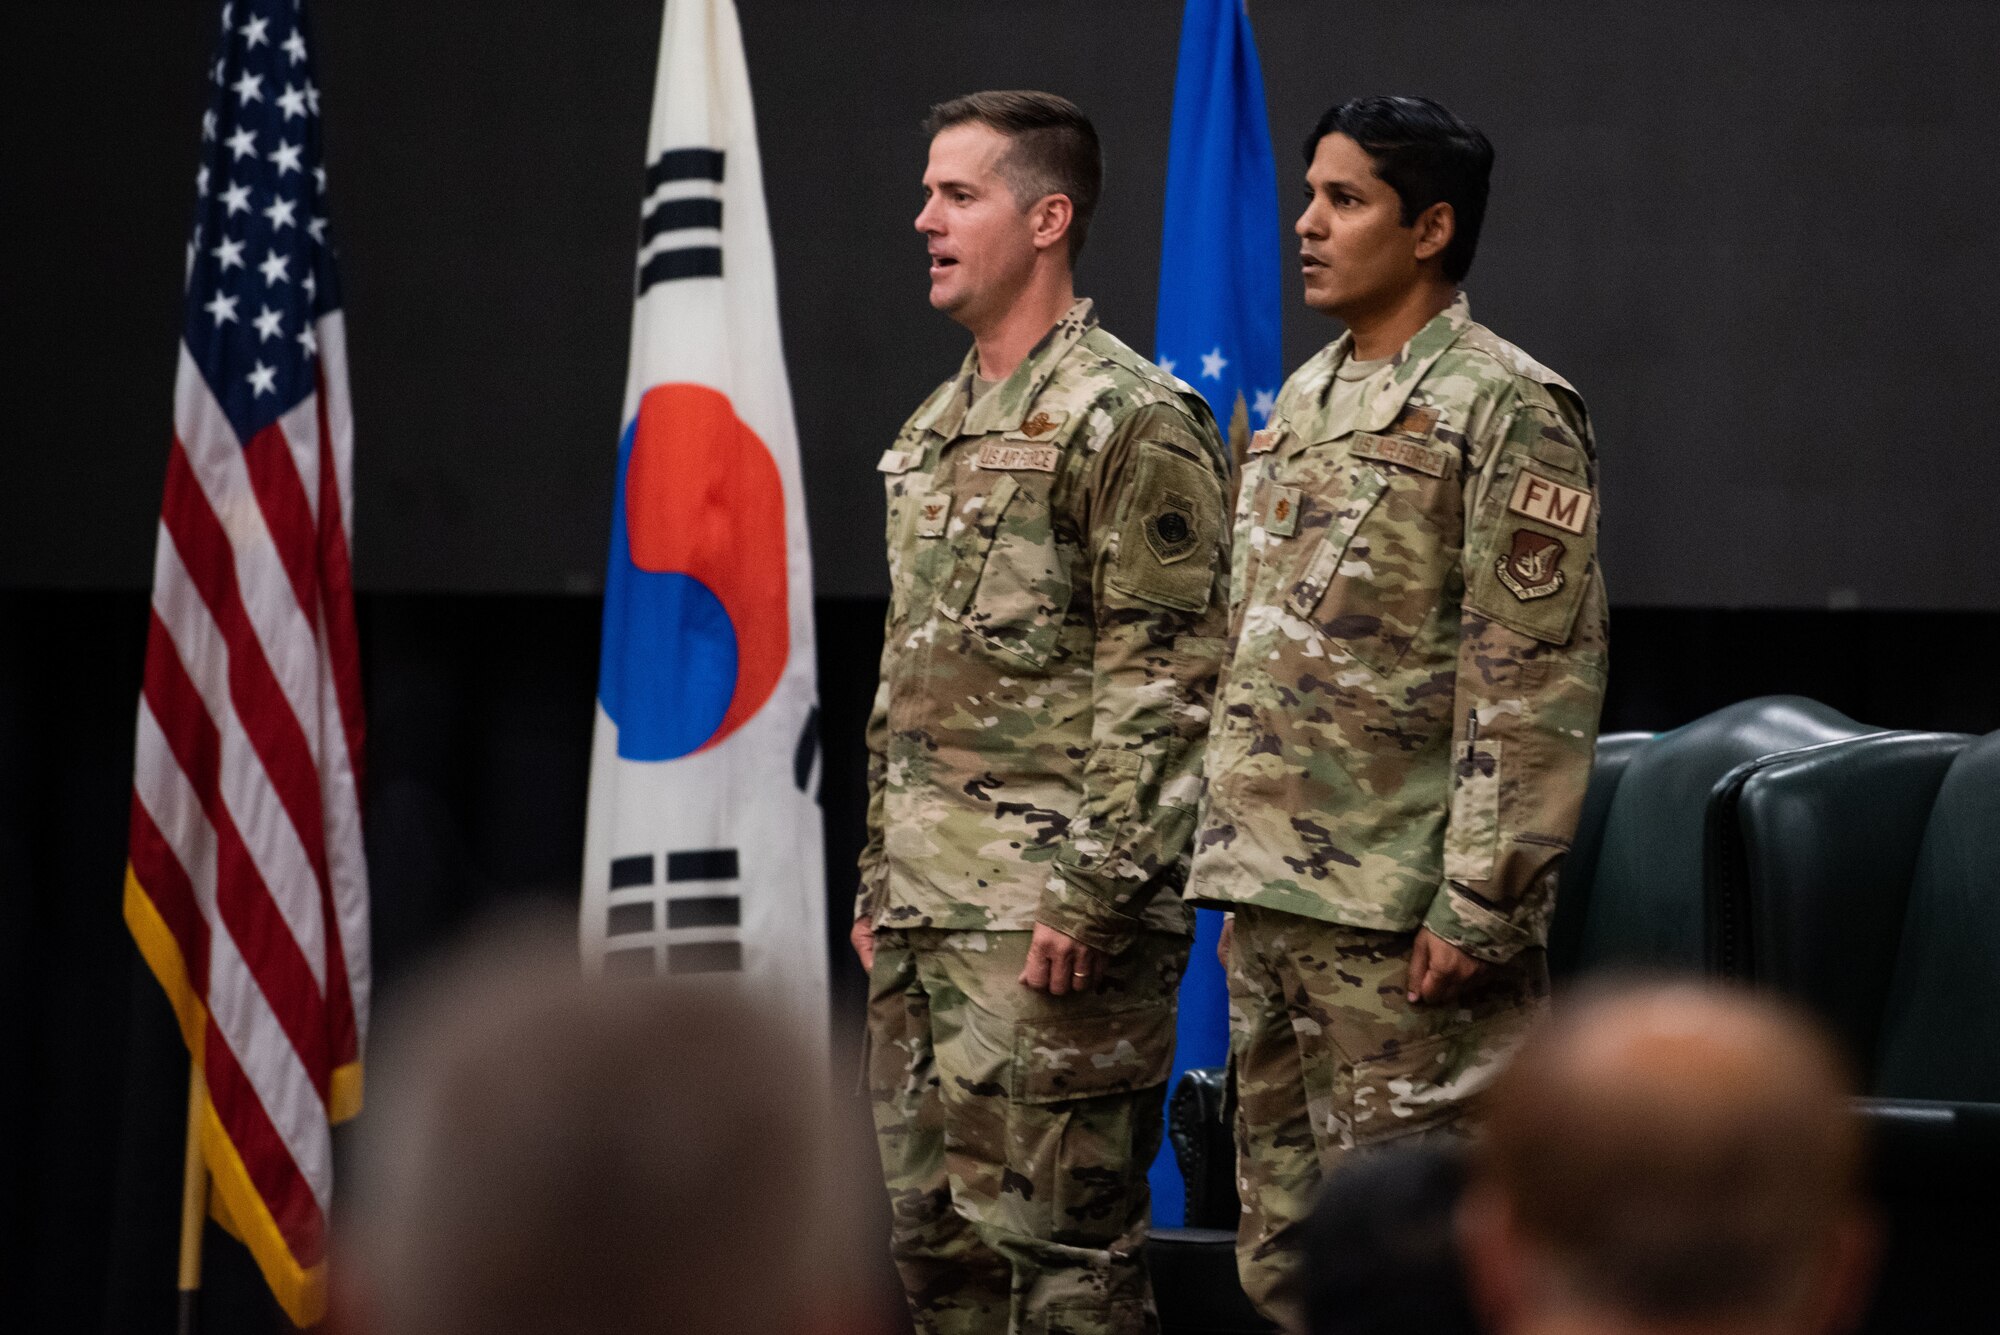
(1059, 561)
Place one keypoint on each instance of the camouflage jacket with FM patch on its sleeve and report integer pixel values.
(1417, 649)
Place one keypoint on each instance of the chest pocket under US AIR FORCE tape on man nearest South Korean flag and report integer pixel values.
(1009, 585)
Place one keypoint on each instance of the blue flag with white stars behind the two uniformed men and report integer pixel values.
(1217, 331)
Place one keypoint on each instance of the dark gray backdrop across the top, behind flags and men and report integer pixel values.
(1753, 233)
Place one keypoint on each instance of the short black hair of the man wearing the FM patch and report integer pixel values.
(1427, 157)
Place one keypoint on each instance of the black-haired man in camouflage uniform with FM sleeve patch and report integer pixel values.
(1411, 700)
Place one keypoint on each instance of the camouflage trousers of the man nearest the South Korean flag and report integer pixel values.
(1017, 1130)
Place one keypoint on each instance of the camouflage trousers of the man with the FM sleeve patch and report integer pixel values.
(1333, 1060)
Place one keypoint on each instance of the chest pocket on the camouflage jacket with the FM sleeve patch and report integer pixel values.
(1381, 571)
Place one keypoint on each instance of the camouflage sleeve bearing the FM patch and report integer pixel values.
(1529, 684)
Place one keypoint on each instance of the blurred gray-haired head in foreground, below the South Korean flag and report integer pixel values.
(561, 1156)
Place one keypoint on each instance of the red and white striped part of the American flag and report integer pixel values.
(247, 816)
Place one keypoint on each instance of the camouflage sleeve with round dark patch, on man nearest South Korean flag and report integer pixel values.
(1155, 529)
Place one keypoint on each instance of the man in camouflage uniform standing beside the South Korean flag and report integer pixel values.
(1057, 541)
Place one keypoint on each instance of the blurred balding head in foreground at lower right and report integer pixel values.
(1671, 1158)
